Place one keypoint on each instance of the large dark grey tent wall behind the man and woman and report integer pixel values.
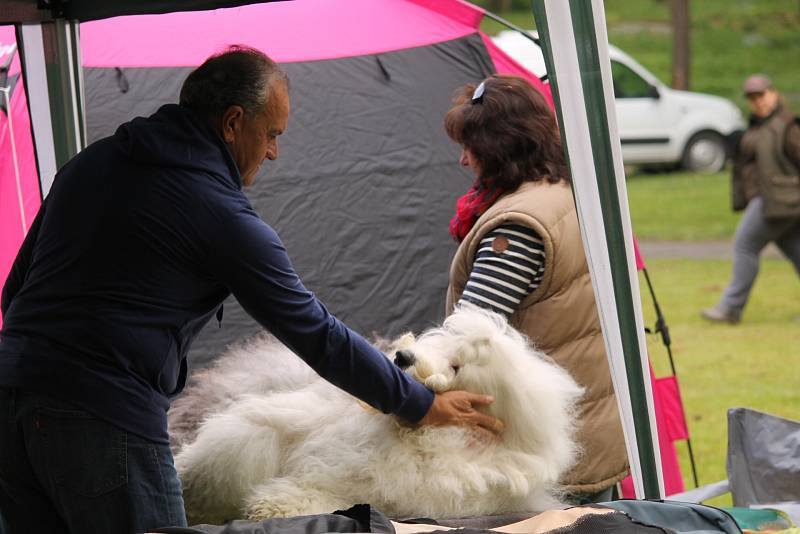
(364, 187)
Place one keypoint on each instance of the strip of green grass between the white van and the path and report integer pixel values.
(681, 206)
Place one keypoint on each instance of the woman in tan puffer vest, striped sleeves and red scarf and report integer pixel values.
(521, 255)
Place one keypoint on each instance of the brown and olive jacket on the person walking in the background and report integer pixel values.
(766, 163)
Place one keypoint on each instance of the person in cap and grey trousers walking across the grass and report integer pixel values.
(766, 185)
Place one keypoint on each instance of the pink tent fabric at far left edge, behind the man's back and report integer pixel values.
(14, 223)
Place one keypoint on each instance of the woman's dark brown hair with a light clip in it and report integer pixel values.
(510, 130)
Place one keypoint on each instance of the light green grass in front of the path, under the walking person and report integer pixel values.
(755, 364)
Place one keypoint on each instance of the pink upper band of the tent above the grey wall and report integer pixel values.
(301, 30)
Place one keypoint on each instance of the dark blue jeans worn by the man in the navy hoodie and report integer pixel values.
(64, 470)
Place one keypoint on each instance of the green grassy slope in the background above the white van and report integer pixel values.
(730, 39)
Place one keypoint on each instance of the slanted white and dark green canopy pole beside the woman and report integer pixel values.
(580, 73)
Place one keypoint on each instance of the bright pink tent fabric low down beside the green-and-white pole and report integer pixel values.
(663, 402)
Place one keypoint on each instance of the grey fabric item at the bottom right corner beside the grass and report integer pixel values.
(763, 458)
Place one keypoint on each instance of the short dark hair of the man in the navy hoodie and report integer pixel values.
(237, 76)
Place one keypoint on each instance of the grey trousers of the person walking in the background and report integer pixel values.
(752, 235)
